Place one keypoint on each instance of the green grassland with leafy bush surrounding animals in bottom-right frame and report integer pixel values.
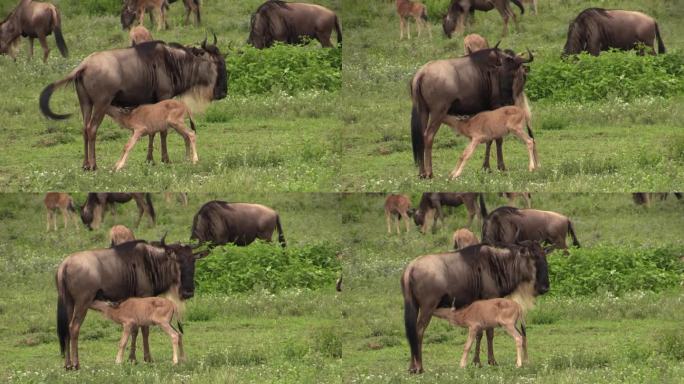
(613, 313)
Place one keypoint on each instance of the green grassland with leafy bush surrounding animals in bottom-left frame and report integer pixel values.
(259, 332)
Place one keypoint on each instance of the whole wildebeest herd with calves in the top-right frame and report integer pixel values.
(482, 94)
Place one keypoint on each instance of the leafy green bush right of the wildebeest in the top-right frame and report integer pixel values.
(612, 74)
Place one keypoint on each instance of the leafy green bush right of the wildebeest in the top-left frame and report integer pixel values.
(287, 68)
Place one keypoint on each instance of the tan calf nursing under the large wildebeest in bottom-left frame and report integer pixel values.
(143, 312)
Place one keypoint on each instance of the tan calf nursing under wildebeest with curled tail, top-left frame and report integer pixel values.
(152, 118)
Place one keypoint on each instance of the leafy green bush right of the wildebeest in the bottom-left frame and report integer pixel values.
(233, 269)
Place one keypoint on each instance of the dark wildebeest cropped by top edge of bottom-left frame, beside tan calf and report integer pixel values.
(92, 211)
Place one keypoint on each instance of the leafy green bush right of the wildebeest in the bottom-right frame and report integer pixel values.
(615, 270)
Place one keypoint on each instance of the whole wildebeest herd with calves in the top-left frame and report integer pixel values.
(121, 82)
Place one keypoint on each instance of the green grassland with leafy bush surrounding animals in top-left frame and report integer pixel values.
(276, 130)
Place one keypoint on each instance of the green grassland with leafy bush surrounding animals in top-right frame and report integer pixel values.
(608, 124)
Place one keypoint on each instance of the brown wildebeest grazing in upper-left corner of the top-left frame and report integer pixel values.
(32, 20)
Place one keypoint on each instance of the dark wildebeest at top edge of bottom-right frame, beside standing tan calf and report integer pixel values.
(431, 205)
